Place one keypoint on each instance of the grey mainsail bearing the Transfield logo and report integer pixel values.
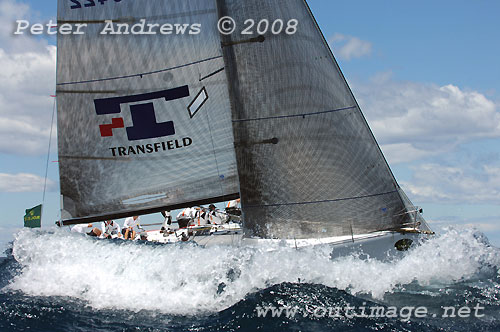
(129, 137)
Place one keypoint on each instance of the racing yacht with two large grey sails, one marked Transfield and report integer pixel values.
(172, 119)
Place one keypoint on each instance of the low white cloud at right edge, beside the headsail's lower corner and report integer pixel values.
(444, 184)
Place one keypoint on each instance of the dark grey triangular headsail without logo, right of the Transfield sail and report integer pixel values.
(308, 163)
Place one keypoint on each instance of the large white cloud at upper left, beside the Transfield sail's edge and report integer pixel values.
(27, 80)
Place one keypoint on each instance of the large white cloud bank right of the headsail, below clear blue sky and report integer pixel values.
(416, 120)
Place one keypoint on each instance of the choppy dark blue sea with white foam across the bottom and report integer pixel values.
(57, 281)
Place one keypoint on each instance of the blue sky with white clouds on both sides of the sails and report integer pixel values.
(425, 74)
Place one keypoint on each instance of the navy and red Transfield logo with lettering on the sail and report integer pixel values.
(144, 122)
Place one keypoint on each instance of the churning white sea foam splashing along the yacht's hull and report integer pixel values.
(189, 279)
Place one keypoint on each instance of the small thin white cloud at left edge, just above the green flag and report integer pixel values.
(24, 182)
